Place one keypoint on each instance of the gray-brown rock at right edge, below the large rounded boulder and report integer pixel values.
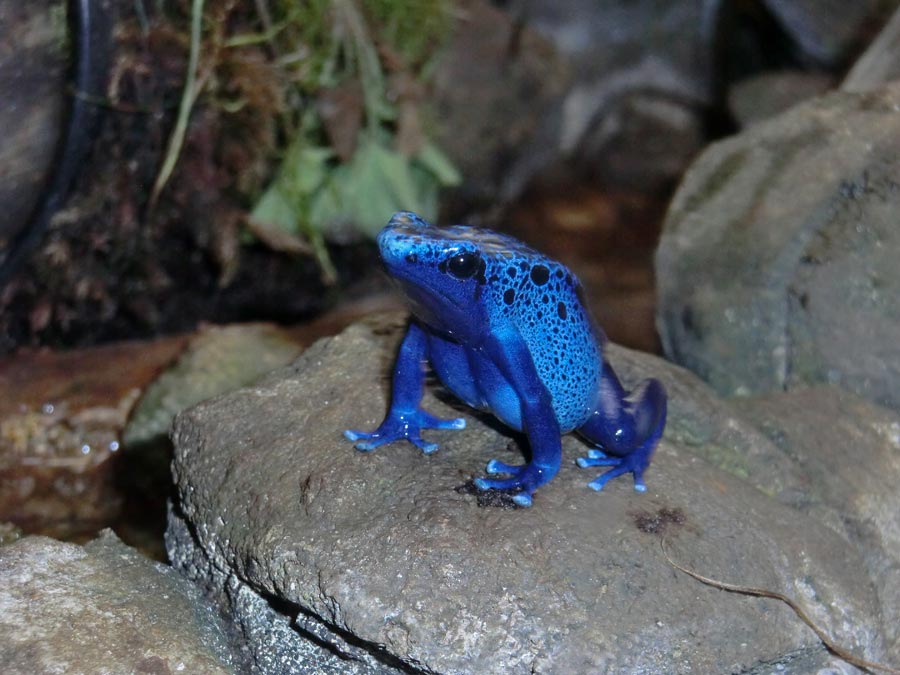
(836, 457)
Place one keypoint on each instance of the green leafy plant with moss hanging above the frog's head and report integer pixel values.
(376, 160)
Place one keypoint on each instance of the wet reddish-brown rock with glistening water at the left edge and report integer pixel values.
(61, 421)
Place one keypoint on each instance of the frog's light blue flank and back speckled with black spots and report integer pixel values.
(544, 301)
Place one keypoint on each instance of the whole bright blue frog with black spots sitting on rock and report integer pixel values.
(506, 330)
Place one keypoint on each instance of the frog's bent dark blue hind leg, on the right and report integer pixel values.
(626, 426)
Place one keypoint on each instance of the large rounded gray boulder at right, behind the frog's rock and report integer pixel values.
(776, 267)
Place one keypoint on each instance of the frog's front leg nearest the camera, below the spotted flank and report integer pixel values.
(510, 354)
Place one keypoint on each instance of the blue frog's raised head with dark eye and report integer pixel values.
(441, 270)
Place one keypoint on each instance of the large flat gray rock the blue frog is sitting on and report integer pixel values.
(382, 552)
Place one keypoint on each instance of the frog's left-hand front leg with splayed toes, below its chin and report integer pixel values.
(406, 419)
